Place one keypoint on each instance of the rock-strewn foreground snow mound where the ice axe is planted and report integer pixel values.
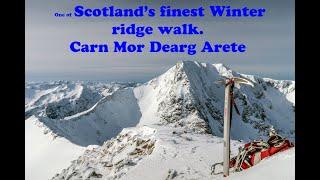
(163, 153)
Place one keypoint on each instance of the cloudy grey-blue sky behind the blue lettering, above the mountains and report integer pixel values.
(270, 41)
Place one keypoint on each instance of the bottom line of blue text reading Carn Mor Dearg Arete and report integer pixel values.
(157, 47)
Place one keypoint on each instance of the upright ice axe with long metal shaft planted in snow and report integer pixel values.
(228, 102)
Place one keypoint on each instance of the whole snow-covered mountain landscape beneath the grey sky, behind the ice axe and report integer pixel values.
(175, 120)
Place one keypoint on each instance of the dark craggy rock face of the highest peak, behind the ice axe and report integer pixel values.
(202, 98)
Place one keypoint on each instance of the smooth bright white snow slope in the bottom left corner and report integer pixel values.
(46, 154)
